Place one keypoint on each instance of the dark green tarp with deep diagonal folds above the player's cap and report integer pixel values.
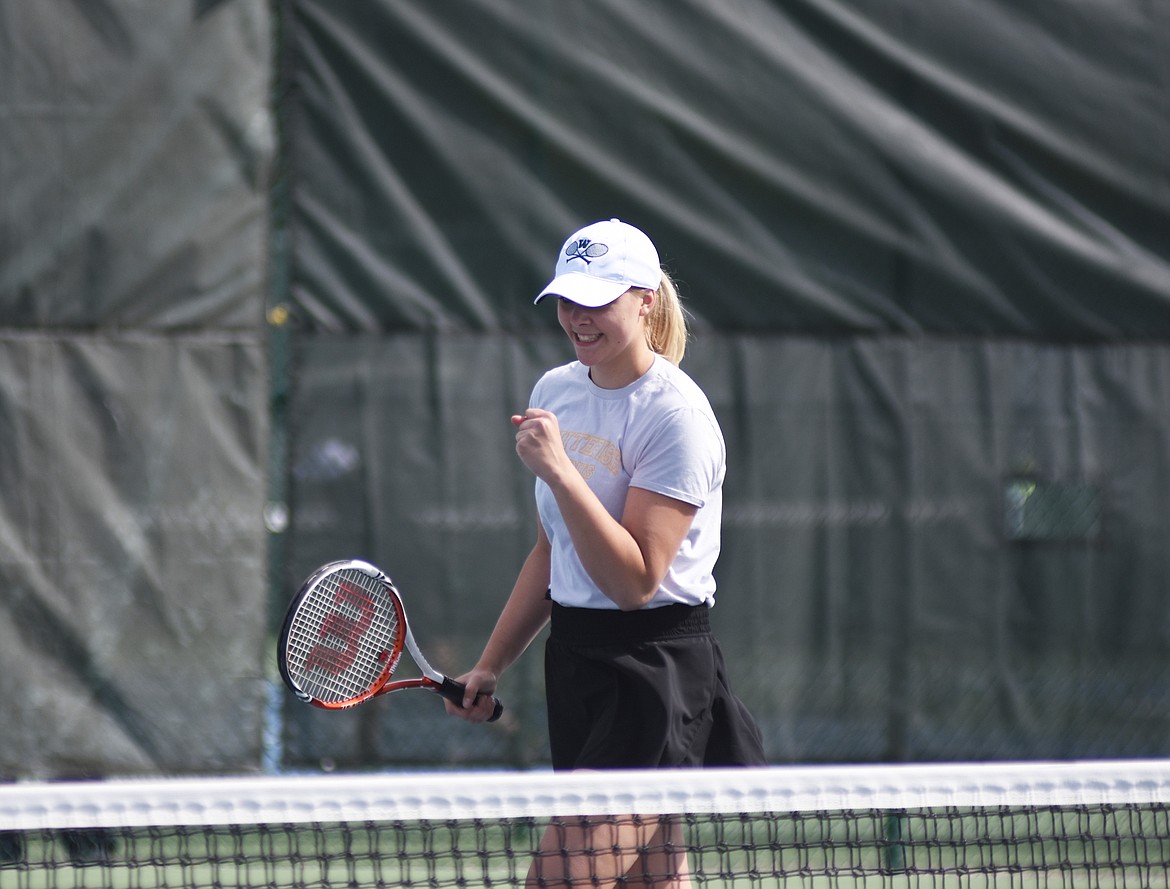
(806, 167)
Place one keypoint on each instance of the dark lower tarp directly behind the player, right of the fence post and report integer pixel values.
(878, 596)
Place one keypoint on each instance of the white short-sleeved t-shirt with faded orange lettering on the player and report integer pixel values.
(660, 435)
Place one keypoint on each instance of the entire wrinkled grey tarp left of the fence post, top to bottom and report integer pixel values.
(135, 151)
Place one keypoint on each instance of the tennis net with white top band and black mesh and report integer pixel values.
(1095, 824)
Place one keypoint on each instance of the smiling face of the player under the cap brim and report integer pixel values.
(610, 341)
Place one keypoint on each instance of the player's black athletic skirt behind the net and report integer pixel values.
(643, 690)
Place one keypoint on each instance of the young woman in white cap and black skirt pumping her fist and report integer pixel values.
(630, 463)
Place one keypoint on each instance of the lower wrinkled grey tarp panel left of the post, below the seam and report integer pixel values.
(133, 616)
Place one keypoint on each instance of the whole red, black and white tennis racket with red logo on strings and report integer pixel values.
(343, 637)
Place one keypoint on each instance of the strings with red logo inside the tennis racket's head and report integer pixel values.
(345, 638)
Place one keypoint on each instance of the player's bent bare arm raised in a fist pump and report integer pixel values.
(627, 560)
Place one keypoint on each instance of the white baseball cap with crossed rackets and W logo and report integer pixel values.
(601, 263)
